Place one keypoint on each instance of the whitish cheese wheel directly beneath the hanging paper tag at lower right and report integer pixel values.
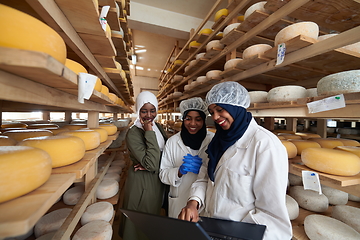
(309, 199)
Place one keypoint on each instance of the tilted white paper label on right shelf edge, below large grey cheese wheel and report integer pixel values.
(327, 104)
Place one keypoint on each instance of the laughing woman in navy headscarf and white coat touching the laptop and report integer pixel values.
(246, 176)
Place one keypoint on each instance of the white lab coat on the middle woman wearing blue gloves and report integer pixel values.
(171, 161)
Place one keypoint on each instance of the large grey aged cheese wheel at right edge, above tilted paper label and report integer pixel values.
(339, 83)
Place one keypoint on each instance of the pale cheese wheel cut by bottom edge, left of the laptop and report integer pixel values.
(94, 230)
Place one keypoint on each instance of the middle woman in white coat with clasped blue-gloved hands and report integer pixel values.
(183, 154)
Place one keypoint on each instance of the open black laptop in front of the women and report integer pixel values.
(157, 227)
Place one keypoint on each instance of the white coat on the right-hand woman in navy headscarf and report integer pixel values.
(250, 184)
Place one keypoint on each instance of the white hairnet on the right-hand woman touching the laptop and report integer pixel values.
(231, 93)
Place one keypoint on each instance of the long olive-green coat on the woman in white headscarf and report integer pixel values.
(143, 189)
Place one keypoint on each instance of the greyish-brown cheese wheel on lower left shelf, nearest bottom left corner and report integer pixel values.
(51, 221)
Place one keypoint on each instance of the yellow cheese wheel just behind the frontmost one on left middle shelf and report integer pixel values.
(63, 150)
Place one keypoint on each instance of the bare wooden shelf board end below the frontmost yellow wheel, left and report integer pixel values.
(19, 215)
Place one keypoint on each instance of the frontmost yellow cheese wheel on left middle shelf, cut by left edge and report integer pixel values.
(22, 169)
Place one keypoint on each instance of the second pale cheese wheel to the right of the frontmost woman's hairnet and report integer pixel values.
(286, 93)
